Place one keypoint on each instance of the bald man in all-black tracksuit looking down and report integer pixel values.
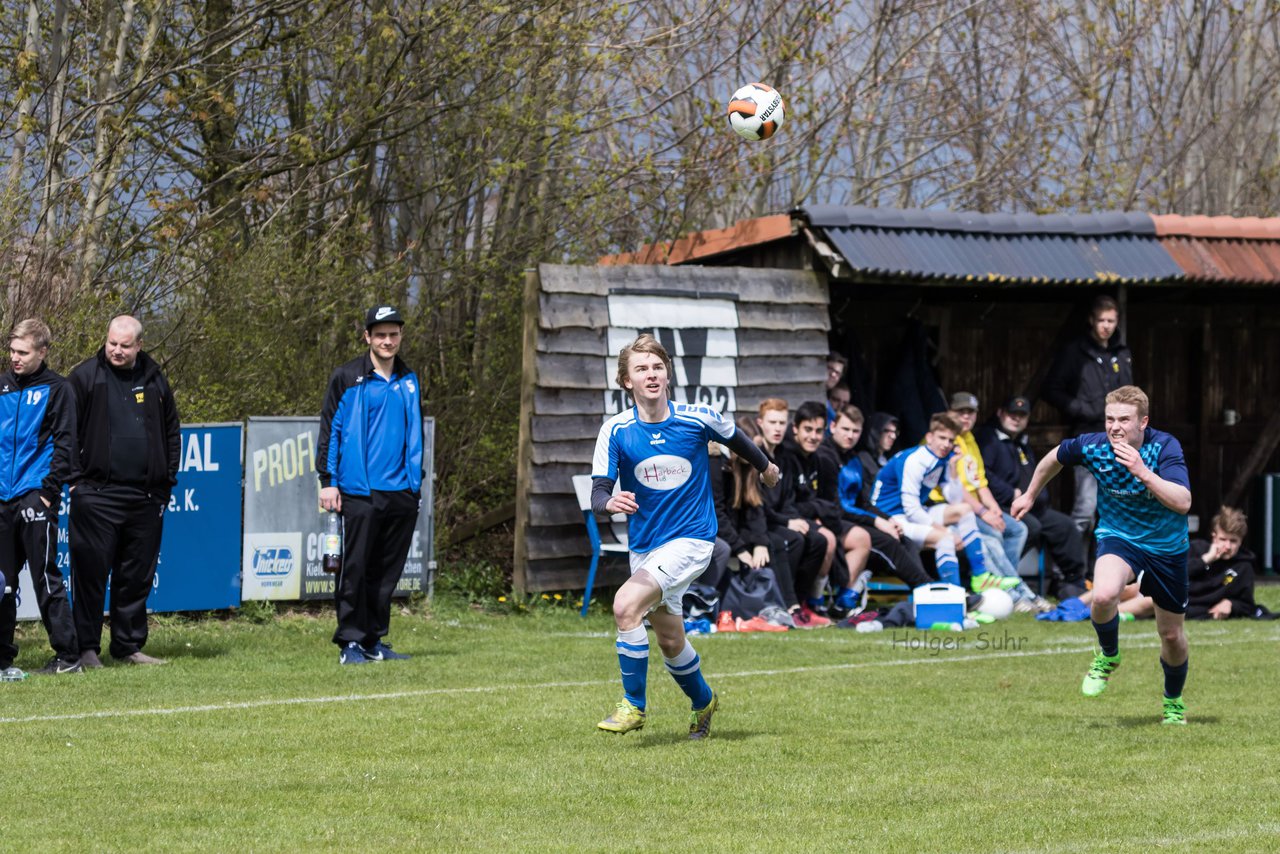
(125, 468)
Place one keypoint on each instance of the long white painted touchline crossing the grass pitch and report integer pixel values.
(490, 689)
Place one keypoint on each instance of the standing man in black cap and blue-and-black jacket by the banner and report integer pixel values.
(371, 464)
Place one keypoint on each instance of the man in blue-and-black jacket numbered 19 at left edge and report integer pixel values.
(38, 430)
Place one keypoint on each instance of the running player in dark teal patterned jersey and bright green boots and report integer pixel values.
(1144, 499)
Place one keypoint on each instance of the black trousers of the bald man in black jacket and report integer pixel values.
(115, 535)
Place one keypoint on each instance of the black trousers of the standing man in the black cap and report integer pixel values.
(377, 532)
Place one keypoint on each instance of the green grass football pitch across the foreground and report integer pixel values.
(254, 739)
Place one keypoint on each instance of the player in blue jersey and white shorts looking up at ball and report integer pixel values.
(659, 453)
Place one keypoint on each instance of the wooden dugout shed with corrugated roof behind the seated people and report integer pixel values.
(982, 302)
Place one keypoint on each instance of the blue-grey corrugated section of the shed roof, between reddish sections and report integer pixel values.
(996, 248)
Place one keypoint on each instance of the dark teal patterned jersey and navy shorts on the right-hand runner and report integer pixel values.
(1132, 523)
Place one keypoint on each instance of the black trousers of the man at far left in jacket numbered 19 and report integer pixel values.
(29, 535)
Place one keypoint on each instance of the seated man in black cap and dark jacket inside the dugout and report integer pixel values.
(1011, 462)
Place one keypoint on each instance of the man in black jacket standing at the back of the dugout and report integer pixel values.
(1084, 375)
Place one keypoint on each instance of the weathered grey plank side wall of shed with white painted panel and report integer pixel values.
(775, 322)
